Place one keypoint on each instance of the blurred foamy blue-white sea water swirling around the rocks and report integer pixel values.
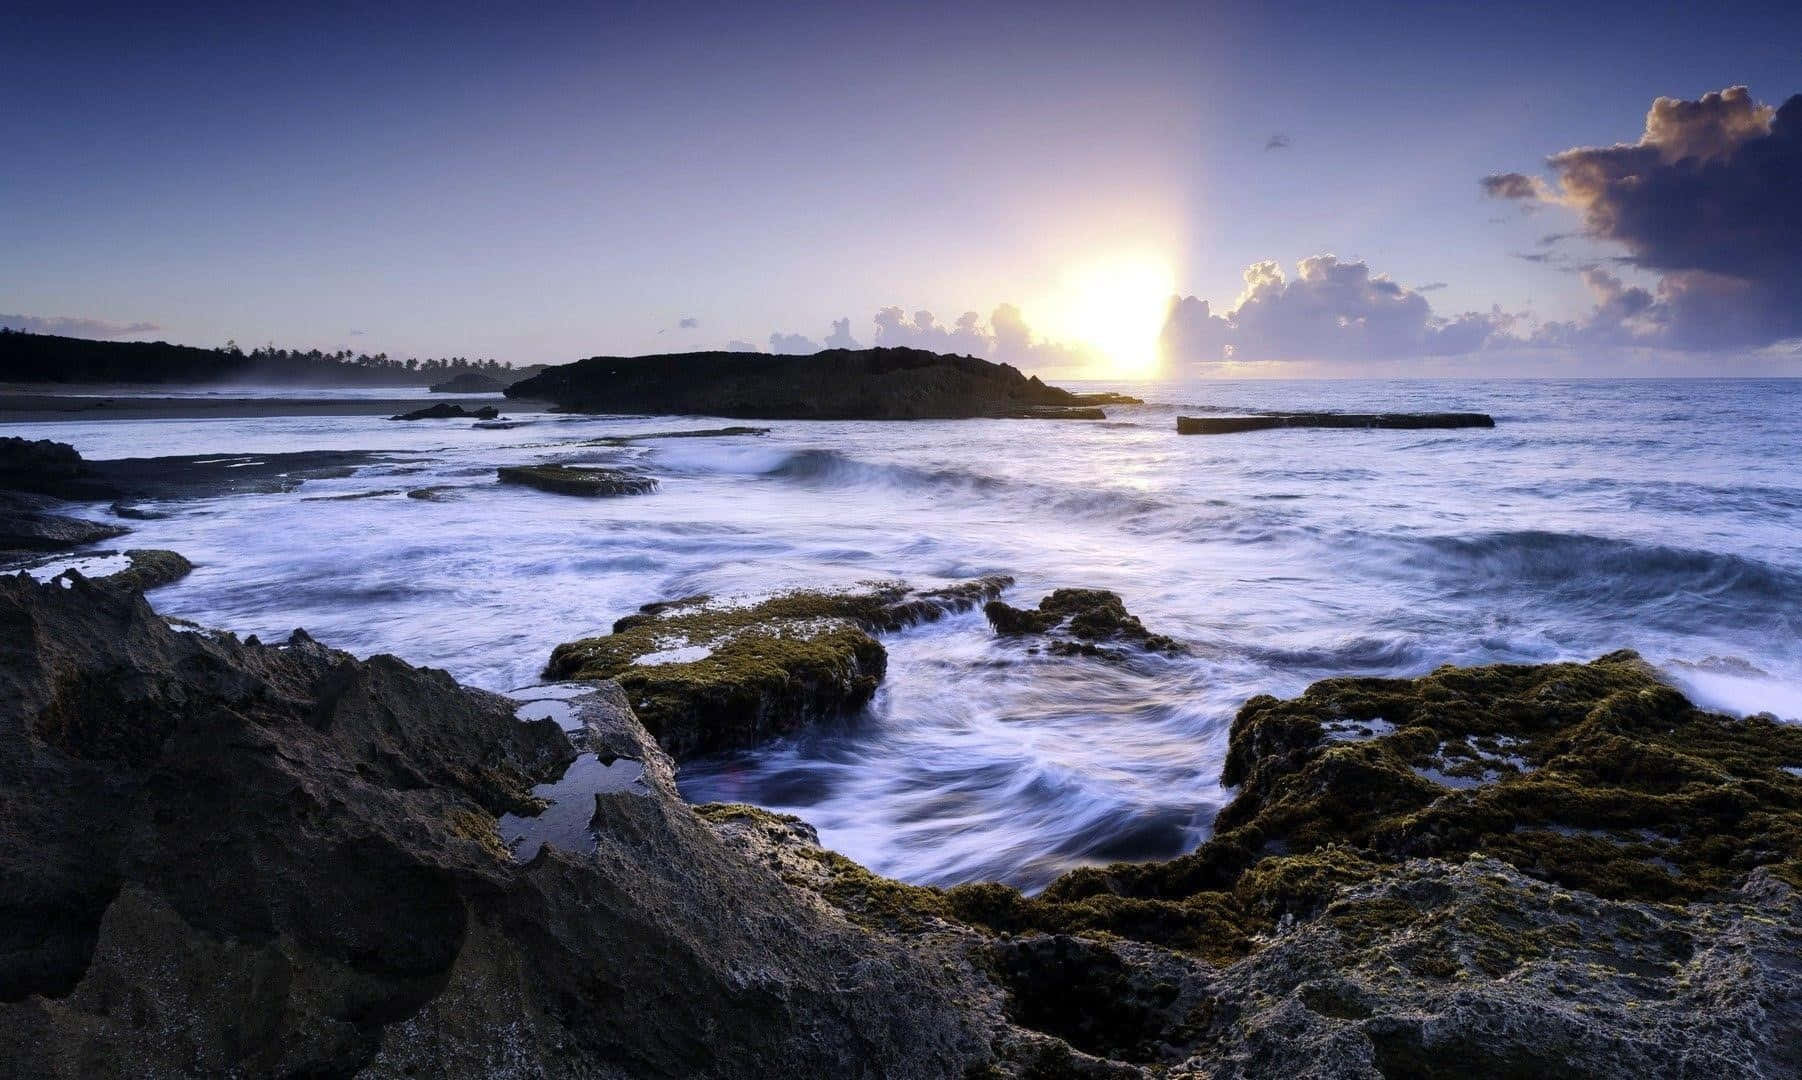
(1661, 517)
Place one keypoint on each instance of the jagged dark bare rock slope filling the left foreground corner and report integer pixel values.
(239, 859)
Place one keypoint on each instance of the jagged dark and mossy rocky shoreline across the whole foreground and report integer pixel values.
(275, 859)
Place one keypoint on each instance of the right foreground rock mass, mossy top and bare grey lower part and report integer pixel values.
(1502, 872)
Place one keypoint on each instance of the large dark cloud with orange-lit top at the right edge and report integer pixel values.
(1707, 199)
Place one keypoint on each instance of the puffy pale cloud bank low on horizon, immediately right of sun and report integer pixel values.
(1329, 311)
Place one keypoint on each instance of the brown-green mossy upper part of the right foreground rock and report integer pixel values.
(1588, 776)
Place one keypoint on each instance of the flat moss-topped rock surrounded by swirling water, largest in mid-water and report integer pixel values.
(711, 675)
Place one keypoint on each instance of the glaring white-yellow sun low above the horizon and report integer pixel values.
(1116, 307)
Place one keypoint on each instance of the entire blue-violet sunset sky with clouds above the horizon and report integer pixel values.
(1351, 190)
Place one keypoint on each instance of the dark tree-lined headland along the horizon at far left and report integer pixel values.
(46, 358)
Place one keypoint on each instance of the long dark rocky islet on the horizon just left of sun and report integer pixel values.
(835, 385)
